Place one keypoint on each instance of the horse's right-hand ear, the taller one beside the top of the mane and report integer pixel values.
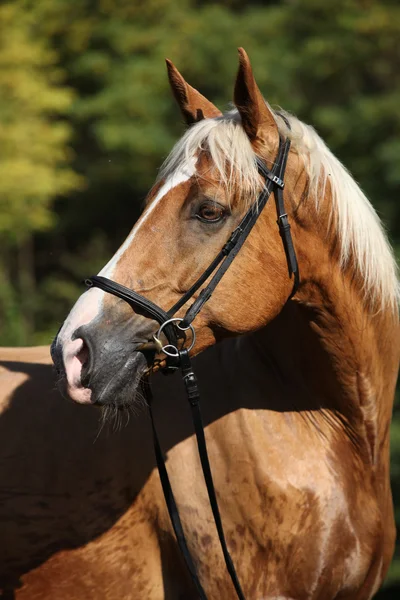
(249, 101)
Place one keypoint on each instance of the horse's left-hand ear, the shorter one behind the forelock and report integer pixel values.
(193, 105)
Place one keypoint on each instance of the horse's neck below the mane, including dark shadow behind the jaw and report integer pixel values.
(327, 341)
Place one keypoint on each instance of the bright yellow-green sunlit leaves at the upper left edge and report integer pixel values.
(33, 139)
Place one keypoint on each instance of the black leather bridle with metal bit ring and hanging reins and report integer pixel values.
(175, 329)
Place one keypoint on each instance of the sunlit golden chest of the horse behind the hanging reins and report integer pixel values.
(290, 519)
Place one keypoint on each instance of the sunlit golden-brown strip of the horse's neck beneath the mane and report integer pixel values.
(362, 343)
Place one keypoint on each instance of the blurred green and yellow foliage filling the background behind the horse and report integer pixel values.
(86, 118)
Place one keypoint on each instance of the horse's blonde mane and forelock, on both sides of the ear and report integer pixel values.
(360, 232)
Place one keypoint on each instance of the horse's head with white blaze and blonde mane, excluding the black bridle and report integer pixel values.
(205, 187)
